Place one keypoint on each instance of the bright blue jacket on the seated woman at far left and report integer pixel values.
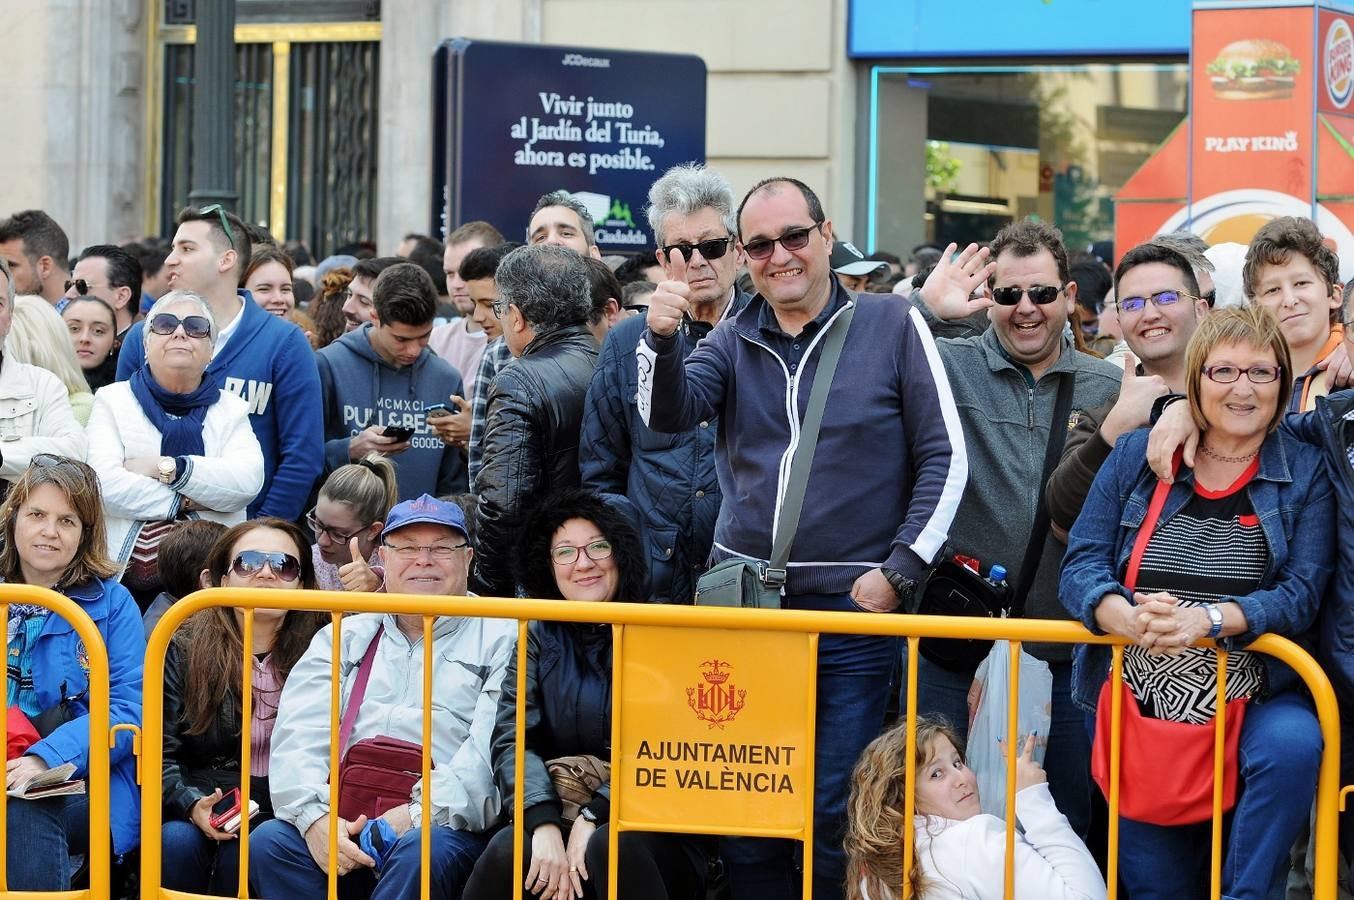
(60, 660)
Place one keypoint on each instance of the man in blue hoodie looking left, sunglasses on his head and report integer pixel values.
(265, 359)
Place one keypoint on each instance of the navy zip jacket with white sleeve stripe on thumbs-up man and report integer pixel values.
(890, 466)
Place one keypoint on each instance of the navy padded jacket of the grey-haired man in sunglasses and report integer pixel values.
(670, 478)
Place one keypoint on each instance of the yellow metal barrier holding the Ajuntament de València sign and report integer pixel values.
(687, 618)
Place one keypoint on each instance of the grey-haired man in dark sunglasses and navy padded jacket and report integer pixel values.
(670, 478)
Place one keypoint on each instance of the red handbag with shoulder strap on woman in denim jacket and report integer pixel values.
(1165, 768)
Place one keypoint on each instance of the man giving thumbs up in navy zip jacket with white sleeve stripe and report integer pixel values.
(888, 476)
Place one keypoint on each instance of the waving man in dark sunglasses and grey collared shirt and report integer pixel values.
(1007, 384)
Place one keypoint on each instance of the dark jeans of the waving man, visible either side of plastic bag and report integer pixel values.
(1069, 757)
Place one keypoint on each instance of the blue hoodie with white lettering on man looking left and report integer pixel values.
(267, 362)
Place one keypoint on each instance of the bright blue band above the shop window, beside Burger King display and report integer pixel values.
(1018, 28)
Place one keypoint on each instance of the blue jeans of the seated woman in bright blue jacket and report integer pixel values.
(41, 836)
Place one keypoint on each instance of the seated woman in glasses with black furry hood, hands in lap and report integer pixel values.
(576, 547)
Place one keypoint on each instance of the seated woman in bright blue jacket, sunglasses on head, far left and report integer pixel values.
(53, 533)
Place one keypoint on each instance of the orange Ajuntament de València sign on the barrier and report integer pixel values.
(714, 730)
